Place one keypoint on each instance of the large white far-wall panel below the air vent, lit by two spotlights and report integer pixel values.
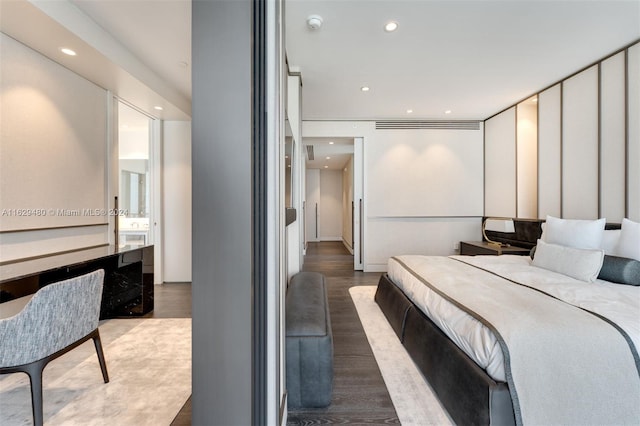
(425, 173)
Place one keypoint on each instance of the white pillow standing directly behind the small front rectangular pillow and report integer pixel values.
(585, 234)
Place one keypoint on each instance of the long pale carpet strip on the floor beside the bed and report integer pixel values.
(412, 397)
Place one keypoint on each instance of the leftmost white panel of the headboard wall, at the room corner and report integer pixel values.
(500, 165)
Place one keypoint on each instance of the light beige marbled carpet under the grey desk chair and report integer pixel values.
(149, 365)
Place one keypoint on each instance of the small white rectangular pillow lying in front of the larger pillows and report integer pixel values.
(581, 264)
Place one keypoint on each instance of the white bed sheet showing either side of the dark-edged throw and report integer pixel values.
(619, 303)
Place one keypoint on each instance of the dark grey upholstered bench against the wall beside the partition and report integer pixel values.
(309, 342)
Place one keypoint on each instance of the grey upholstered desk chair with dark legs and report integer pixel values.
(58, 318)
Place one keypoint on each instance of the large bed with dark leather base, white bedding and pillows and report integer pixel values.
(539, 344)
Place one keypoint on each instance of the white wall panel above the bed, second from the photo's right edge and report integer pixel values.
(612, 138)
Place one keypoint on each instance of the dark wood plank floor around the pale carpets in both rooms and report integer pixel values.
(359, 393)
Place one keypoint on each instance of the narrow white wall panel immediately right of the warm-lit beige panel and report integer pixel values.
(549, 153)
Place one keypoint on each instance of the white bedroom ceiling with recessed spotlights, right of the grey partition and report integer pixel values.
(474, 58)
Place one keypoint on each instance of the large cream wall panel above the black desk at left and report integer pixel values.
(53, 155)
